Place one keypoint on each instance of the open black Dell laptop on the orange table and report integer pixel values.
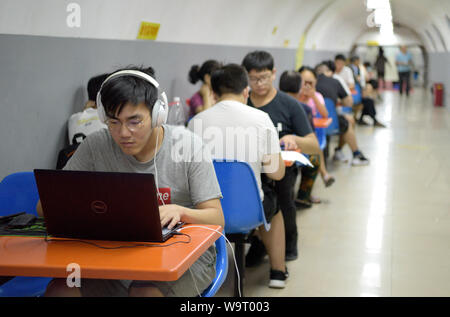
(101, 205)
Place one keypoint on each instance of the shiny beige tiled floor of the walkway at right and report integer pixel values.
(383, 229)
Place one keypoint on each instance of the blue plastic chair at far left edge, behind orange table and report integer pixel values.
(18, 192)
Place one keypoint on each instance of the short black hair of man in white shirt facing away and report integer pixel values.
(231, 78)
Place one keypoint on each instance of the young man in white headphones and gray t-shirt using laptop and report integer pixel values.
(137, 140)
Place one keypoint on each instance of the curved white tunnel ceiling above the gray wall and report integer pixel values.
(334, 25)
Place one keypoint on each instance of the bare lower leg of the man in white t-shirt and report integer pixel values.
(274, 241)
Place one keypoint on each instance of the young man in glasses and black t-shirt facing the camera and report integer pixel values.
(294, 131)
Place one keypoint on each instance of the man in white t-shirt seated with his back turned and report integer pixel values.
(231, 117)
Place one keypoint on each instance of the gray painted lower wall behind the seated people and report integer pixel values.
(43, 80)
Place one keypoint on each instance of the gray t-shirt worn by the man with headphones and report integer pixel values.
(186, 175)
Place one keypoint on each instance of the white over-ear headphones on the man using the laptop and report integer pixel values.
(160, 108)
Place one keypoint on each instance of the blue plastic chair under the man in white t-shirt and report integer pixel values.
(242, 208)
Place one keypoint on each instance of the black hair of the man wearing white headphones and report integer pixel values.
(120, 91)
